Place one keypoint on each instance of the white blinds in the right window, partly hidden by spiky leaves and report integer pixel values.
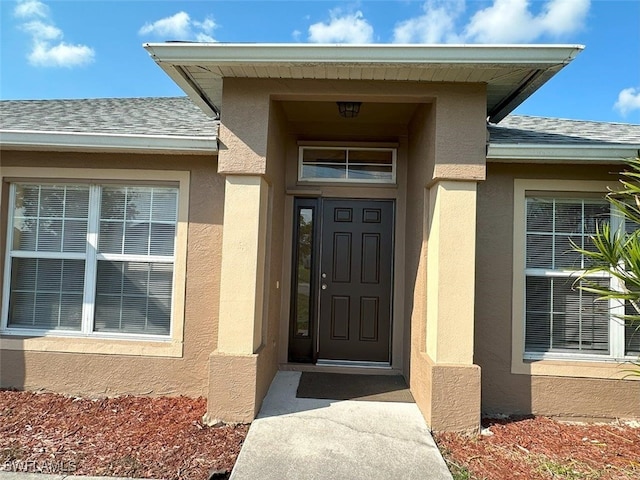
(560, 317)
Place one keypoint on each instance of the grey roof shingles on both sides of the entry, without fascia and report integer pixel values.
(178, 116)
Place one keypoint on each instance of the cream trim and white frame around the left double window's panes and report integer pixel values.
(87, 340)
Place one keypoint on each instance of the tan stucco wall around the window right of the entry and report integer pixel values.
(503, 391)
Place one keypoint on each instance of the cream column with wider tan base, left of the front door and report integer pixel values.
(234, 368)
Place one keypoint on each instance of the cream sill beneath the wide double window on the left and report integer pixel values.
(85, 345)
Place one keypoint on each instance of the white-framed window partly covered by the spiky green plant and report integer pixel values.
(561, 320)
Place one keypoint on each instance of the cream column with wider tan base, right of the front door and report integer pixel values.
(445, 381)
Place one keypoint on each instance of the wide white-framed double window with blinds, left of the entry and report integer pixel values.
(90, 259)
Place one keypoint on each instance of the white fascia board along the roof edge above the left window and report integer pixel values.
(106, 142)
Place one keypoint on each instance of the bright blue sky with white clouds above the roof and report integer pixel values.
(93, 48)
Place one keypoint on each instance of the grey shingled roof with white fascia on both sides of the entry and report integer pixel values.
(175, 123)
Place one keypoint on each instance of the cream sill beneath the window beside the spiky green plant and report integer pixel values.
(605, 368)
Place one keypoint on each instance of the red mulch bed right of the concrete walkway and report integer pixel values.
(542, 448)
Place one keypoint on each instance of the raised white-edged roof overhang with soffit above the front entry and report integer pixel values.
(511, 72)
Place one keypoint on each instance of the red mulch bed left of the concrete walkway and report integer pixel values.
(126, 436)
